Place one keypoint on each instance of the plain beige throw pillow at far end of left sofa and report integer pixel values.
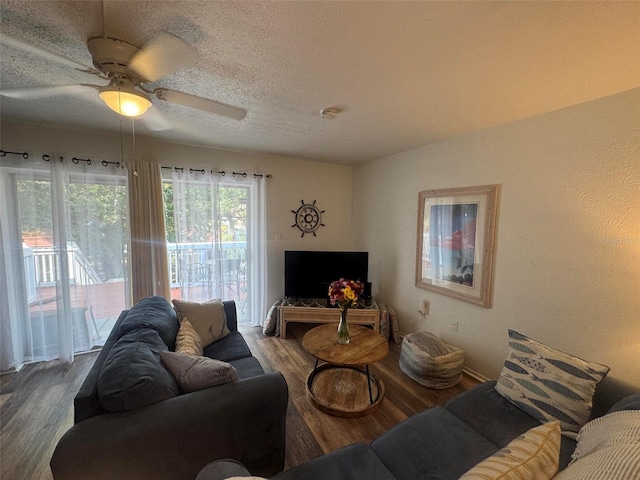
(208, 319)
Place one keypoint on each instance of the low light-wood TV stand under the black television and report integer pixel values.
(316, 311)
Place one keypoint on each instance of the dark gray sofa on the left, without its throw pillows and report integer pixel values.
(175, 435)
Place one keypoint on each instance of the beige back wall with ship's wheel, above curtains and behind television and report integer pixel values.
(293, 180)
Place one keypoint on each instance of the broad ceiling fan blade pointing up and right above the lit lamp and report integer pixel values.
(161, 56)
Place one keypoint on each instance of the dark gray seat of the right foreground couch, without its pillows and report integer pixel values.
(440, 443)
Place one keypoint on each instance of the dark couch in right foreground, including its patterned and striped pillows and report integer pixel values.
(512, 426)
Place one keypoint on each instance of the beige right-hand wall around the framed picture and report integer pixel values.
(567, 266)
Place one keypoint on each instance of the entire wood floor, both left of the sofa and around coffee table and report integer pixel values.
(36, 405)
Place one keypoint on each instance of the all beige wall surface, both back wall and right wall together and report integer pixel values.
(568, 248)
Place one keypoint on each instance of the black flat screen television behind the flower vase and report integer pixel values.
(308, 274)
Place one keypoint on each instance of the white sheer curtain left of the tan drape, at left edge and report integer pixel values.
(62, 267)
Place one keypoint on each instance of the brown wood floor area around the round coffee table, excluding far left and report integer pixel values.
(310, 432)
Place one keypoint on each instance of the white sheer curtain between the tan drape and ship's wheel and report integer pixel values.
(217, 239)
